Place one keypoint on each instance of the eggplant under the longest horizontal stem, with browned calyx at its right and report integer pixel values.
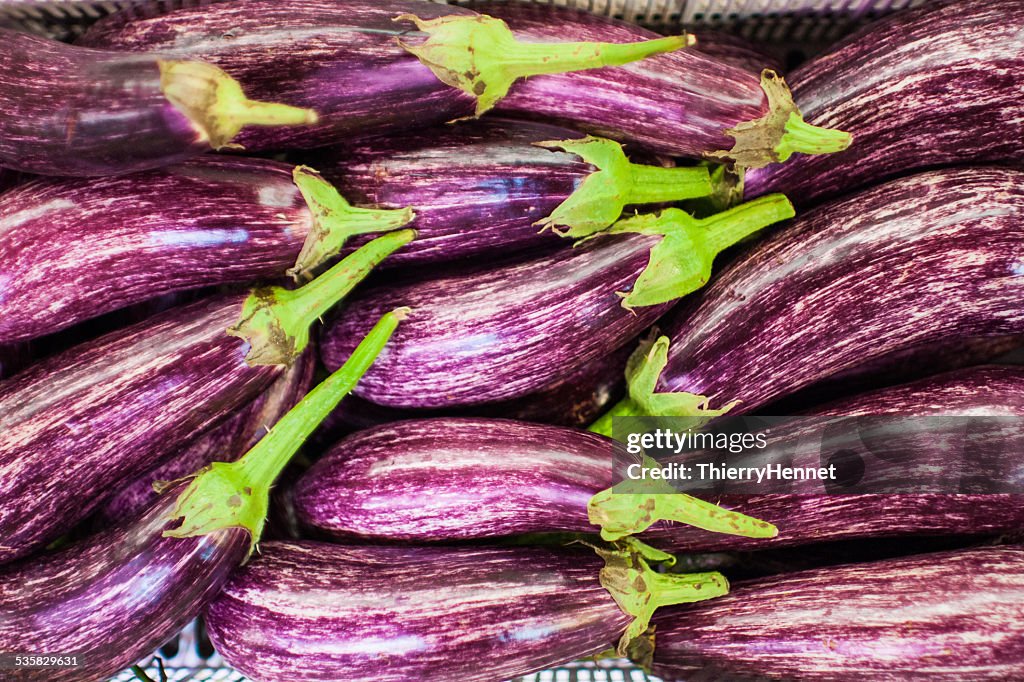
(685, 104)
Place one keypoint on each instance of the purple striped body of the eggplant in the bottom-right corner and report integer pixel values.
(950, 616)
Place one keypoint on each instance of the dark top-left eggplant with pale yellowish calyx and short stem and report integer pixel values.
(78, 111)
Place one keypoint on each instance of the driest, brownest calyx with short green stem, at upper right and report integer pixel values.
(780, 134)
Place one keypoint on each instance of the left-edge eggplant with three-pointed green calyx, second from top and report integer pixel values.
(74, 249)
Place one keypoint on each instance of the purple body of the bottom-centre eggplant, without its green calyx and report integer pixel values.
(315, 612)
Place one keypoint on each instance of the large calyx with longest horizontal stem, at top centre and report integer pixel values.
(482, 57)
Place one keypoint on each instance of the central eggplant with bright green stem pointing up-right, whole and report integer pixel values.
(530, 323)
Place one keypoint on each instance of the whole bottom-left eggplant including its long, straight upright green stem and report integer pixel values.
(113, 599)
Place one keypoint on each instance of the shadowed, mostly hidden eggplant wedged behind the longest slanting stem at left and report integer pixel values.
(224, 443)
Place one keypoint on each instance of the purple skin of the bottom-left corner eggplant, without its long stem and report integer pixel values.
(114, 598)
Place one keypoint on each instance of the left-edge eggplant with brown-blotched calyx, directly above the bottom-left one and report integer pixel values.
(106, 412)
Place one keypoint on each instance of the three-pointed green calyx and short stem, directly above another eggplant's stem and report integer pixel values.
(335, 221)
